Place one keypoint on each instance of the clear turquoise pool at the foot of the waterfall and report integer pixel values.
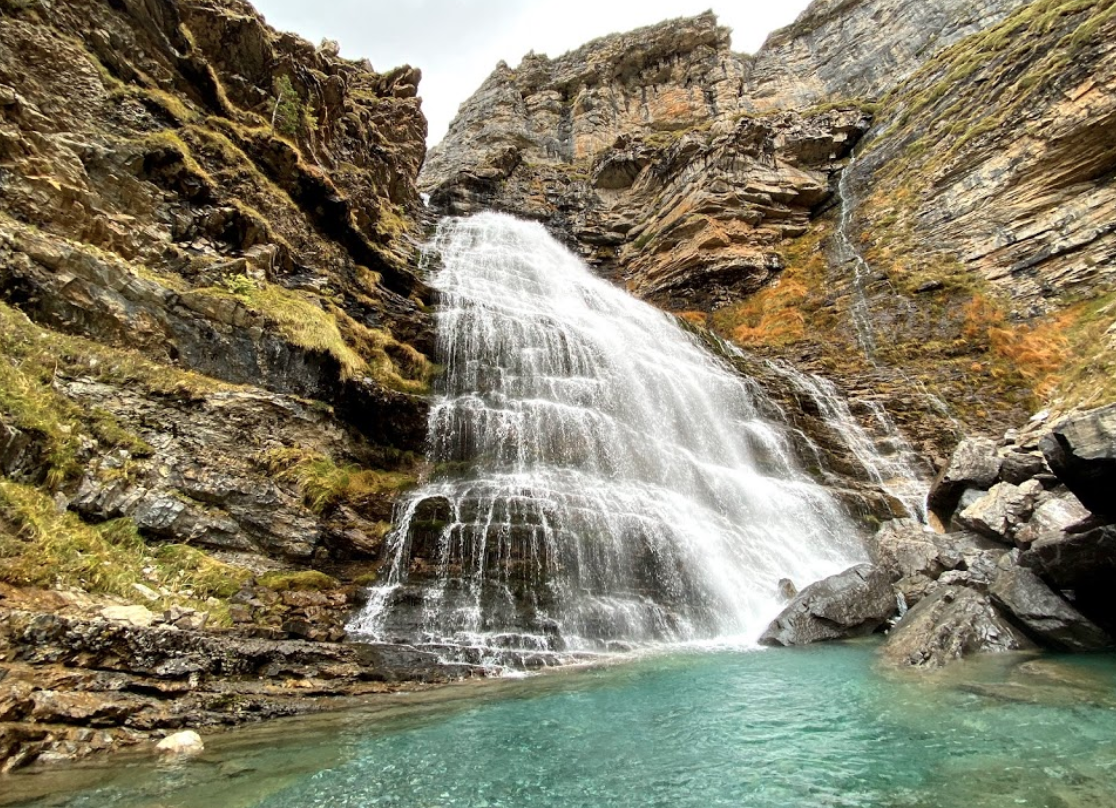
(806, 728)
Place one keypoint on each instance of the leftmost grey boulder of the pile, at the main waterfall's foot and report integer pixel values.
(850, 604)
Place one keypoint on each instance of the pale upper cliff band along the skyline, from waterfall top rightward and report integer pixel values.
(682, 75)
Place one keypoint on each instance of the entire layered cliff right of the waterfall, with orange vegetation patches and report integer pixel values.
(708, 184)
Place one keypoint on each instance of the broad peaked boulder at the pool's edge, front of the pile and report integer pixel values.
(951, 623)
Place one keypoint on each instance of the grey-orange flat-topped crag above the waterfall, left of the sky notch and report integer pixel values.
(671, 76)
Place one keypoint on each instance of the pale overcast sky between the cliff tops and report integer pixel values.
(458, 43)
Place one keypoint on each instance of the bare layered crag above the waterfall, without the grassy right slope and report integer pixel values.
(674, 163)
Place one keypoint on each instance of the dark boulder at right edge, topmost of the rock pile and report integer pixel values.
(1082, 451)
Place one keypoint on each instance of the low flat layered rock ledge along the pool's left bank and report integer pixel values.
(82, 676)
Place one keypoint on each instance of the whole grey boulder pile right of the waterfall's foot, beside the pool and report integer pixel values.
(1025, 560)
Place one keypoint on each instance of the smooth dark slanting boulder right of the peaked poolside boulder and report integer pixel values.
(1044, 614)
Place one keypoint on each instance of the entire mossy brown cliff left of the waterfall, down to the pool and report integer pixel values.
(214, 360)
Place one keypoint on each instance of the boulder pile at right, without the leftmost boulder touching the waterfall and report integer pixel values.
(1042, 567)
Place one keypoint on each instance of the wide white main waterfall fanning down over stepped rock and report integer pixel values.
(601, 480)
